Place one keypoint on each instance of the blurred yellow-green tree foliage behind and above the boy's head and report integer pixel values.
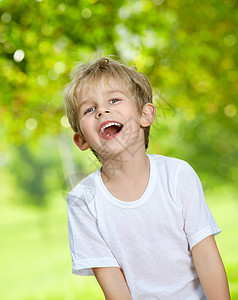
(187, 48)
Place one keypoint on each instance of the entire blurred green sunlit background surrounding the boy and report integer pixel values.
(189, 51)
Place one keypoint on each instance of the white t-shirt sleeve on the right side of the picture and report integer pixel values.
(199, 222)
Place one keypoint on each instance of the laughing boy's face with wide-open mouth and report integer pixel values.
(109, 119)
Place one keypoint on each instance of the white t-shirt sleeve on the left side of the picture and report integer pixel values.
(87, 246)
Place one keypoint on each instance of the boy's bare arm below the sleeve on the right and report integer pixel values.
(210, 269)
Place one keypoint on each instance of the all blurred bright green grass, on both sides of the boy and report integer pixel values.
(35, 258)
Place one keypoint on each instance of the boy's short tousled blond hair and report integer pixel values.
(137, 84)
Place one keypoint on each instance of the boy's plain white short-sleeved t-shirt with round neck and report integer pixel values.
(150, 238)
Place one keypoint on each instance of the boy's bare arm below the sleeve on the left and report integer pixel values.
(113, 283)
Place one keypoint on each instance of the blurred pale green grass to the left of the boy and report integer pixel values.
(35, 258)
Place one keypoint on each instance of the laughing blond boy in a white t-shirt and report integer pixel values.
(140, 223)
